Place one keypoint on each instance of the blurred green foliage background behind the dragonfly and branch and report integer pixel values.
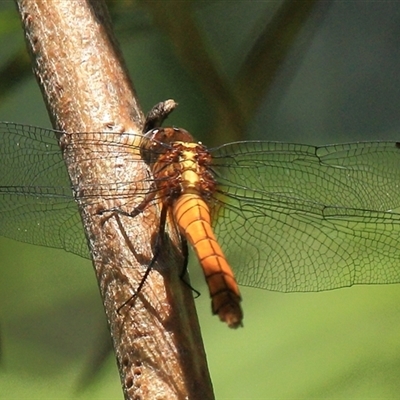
(293, 71)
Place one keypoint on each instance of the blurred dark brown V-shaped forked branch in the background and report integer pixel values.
(234, 103)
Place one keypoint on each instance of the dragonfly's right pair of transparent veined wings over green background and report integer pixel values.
(299, 218)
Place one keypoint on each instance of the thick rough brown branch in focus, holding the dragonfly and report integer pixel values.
(84, 82)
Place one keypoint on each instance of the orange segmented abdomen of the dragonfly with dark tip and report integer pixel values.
(193, 218)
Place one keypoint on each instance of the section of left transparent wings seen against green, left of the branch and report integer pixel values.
(36, 200)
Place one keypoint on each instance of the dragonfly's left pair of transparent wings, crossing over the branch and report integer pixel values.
(37, 203)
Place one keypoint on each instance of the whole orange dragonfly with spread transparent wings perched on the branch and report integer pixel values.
(289, 217)
